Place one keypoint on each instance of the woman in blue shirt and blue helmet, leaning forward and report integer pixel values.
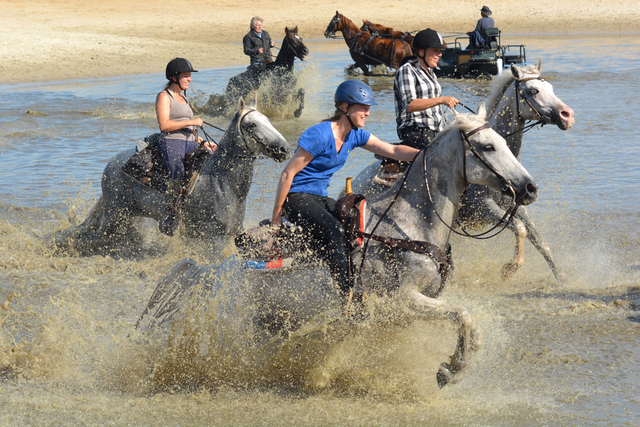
(322, 150)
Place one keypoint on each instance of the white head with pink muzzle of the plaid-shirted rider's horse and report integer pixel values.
(536, 99)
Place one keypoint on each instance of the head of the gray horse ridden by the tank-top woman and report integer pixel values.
(258, 133)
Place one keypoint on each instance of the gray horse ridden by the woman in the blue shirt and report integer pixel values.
(403, 261)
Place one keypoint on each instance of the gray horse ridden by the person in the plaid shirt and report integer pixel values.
(517, 97)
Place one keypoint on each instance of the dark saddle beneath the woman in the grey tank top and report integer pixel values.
(147, 167)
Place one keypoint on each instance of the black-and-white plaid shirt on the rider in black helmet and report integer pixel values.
(414, 82)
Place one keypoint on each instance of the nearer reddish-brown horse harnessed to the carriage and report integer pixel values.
(366, 48)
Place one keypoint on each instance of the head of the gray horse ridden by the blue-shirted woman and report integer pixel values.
(488, 161)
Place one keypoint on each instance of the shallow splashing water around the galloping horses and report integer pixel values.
(552, 354)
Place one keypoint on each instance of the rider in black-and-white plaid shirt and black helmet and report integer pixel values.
(417, 92)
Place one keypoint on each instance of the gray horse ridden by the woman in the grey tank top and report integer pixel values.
(214, 211)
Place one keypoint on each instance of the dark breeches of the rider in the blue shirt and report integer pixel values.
(315, 214)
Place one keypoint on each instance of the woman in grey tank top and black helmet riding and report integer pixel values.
(176, 123)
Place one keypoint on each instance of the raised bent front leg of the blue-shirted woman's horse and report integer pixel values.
(468, 334)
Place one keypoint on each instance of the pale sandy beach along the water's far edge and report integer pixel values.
(68, 39)
